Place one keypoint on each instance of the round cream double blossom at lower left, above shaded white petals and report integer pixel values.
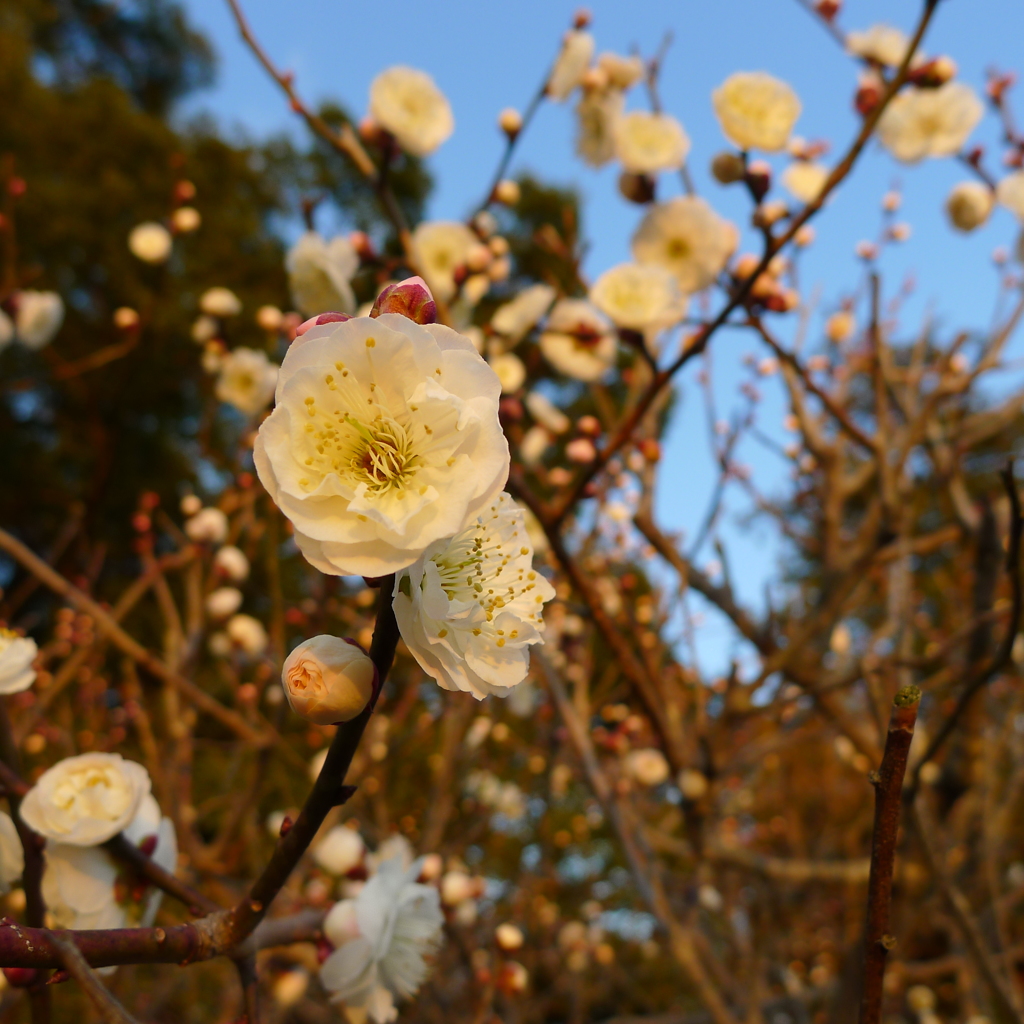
(87, 800)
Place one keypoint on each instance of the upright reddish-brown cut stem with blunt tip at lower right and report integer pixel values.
(888, 800)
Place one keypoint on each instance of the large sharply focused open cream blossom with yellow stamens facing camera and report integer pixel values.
(385, 439)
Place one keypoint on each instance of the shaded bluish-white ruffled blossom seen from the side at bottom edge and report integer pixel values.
(382, 941)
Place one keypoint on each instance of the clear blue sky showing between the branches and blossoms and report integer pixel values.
(488, 57)
